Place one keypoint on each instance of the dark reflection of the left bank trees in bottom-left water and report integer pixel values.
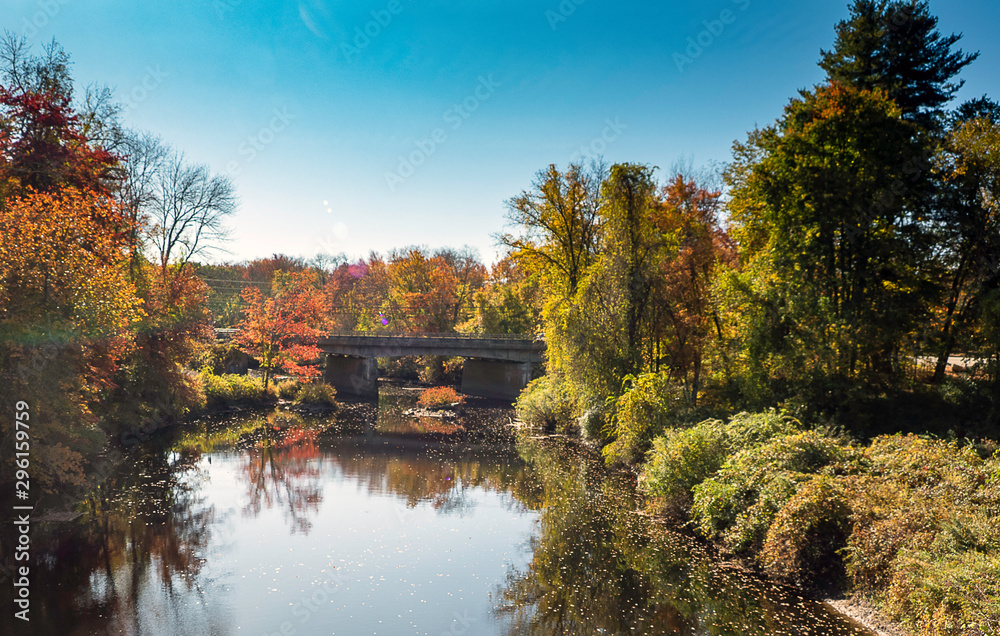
(140, 545)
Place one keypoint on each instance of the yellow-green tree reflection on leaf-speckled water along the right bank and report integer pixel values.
(599, 567)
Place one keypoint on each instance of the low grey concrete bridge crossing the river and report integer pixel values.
(496, 366)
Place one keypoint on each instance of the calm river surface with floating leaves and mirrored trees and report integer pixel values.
(372, 521)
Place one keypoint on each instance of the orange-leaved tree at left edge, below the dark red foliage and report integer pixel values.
(67, 311)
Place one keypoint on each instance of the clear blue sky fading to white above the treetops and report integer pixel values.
(359, 125)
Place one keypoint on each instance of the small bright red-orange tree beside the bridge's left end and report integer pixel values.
(280, 331)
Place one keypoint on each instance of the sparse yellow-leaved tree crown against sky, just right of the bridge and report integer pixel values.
(558, 221)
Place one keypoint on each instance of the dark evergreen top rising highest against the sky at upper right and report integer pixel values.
(893, 45)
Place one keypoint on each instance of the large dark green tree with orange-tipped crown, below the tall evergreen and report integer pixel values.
(825, 207)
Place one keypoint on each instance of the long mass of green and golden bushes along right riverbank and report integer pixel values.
(908, 522)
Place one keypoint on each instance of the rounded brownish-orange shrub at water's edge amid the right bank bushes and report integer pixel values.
(802, 543)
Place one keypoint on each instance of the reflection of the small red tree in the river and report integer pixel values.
(281, 469)
